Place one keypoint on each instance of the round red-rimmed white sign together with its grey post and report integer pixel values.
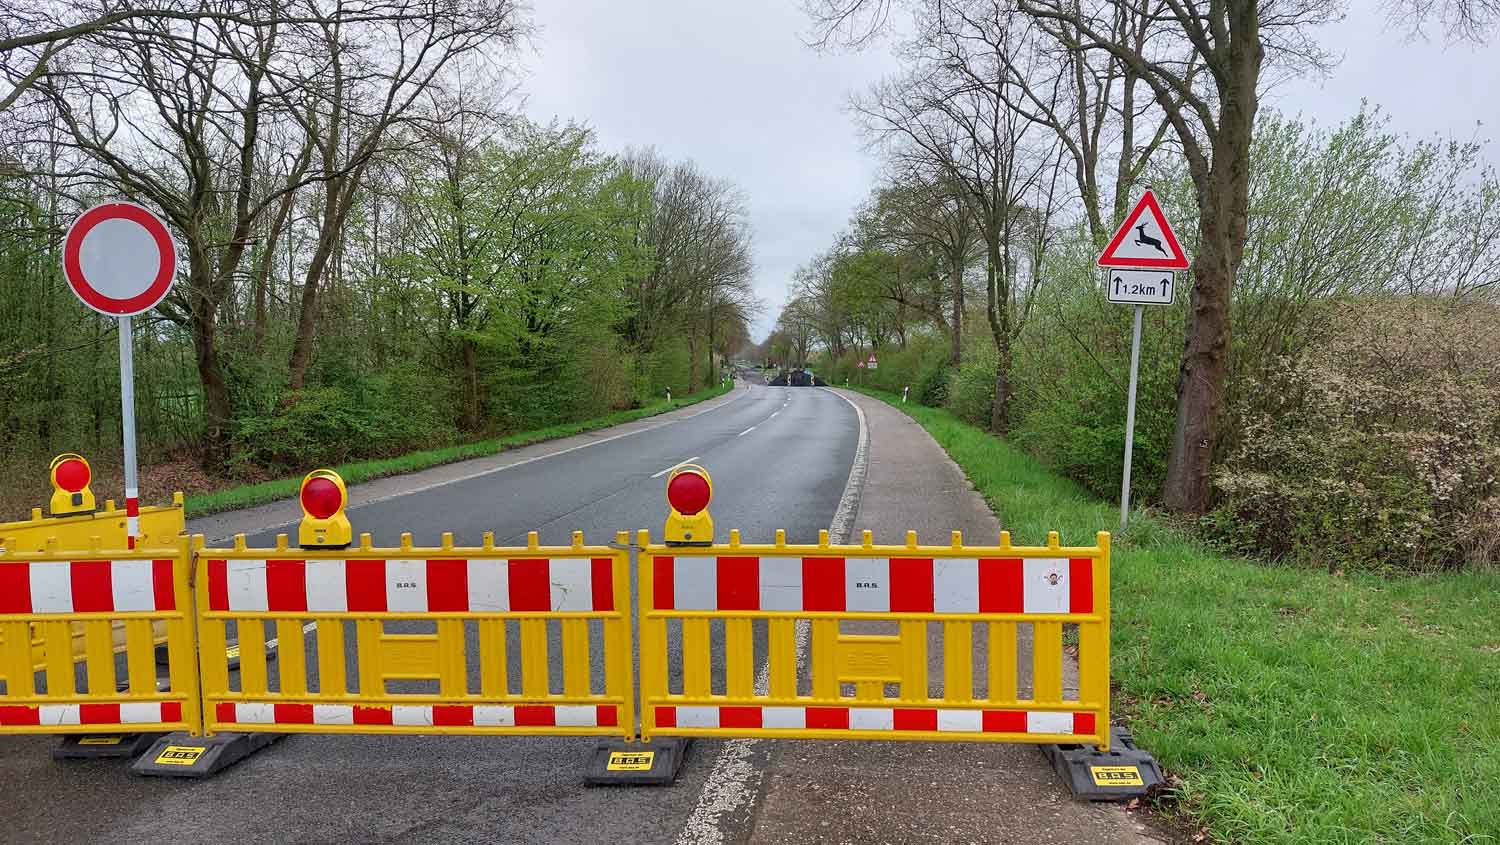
(119, 259)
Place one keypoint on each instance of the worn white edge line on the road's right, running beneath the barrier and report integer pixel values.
(734, 781)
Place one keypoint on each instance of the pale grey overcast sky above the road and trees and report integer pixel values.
(730, 85)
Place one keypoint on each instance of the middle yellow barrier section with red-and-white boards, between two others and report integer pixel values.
(443, 625)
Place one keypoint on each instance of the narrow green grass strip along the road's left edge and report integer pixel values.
(359, 472)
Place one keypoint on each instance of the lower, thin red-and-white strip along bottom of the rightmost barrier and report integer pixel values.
(880, 720)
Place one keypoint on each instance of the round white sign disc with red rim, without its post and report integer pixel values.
(119, 259)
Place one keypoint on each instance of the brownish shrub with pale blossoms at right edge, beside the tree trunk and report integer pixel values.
(1379, 450)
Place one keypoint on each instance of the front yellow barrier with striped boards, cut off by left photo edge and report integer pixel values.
(100, 592)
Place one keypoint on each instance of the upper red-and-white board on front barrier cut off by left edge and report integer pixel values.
(86, 586)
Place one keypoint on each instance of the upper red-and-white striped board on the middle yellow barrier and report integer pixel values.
(412, 586)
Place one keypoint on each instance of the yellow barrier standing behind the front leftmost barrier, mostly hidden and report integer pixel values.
(161, 528)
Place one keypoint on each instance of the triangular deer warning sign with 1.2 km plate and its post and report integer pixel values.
(1141, 268)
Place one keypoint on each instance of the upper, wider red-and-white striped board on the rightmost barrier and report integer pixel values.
(899, 585)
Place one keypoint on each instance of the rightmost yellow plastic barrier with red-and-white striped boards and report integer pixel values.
(868, 612)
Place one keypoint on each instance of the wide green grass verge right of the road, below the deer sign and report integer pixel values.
(1295, 705)
